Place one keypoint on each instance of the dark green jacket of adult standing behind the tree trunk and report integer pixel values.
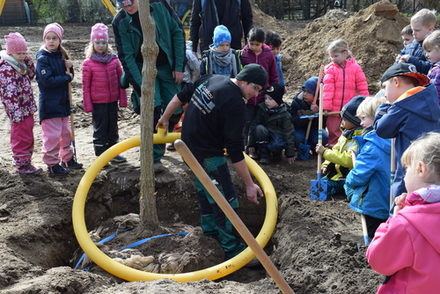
(170, 37)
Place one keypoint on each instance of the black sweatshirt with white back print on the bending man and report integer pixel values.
(214, 119)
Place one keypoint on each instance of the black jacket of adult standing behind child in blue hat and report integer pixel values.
(237, 17)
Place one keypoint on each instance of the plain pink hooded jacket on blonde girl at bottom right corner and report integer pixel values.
(407, 247)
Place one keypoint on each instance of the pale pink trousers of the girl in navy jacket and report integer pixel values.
(57, 139)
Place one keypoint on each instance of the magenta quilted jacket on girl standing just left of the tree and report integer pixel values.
(101, 83)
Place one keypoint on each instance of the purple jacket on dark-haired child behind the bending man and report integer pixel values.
(267, 60)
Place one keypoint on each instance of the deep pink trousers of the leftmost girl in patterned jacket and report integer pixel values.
(22, 141)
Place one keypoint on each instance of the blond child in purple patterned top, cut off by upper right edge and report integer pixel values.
(431, 45)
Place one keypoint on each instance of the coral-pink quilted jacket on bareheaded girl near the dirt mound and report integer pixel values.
(342, 84)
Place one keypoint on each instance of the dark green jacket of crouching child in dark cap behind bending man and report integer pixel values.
(277, 121)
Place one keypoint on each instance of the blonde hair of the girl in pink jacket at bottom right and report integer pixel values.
(425, 149)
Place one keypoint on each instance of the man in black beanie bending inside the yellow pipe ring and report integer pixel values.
(214, 120)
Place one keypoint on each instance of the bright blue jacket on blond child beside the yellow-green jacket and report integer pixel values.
(367, 185)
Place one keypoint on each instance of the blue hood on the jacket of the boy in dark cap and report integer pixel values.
(423, 103)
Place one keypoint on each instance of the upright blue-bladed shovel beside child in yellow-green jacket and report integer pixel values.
(318, 187)
